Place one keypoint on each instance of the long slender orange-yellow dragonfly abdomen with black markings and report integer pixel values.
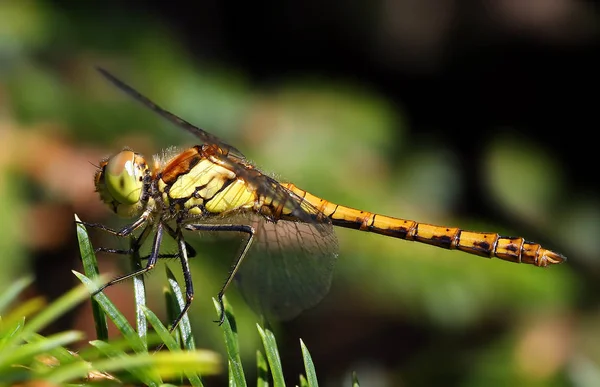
(490, 245)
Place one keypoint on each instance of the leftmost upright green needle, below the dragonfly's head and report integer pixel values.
(90, 268)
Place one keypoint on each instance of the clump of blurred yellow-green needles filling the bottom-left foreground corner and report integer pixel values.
(26, 357)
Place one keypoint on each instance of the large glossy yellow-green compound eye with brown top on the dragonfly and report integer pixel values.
(124, 177)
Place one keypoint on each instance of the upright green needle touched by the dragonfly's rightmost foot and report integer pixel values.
(236, 371)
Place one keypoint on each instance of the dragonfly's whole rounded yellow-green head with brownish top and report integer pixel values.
(121, 182)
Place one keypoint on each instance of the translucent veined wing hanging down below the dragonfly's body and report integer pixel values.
(288, 268)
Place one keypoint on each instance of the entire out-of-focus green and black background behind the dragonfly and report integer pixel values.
(473, 115)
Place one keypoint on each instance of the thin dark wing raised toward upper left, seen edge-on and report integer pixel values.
(204, 136)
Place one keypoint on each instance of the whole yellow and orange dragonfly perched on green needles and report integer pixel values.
(289, 247)
